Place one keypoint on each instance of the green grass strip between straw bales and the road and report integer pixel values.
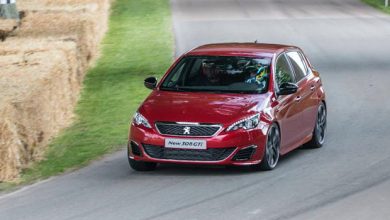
(139, 43)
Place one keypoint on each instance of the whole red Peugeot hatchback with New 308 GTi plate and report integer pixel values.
(230, 104)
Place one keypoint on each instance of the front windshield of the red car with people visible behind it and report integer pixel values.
(219, 74)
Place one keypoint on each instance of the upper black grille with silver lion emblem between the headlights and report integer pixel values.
(193, 130)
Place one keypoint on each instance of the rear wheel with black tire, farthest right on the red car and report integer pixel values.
(318, 138)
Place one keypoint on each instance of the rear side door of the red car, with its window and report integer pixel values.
(306, 98)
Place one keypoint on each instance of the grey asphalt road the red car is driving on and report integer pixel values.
(349, 178)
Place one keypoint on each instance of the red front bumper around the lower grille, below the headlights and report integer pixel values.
(227, 148)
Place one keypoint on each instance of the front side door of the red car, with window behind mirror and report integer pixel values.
(288, 110)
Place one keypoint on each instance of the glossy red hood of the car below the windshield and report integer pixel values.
(200, 107)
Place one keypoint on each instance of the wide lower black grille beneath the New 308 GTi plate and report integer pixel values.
(212, 154)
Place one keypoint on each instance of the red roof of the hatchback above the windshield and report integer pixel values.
(239, 49)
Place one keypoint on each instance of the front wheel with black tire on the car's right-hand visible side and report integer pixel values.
(272, 149)
